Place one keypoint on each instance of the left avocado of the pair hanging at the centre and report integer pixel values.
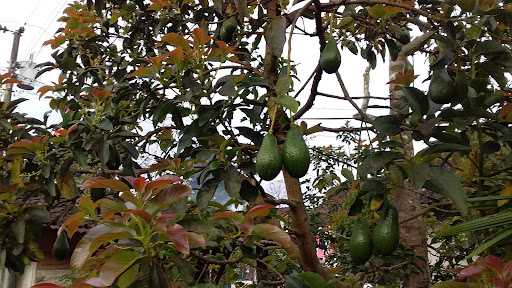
(268, 160)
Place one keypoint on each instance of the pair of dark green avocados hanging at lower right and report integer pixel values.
(384, 239)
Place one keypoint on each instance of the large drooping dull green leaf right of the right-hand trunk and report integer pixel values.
(447, 183)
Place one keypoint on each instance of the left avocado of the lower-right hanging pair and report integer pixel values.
(360, 243)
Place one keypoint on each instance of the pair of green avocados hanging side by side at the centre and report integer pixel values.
(295, 156)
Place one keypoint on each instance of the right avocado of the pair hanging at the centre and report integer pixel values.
(295, 153)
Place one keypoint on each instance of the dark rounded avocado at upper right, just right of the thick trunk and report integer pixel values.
(442, 88)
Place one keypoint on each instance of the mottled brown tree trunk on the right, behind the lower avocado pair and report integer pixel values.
(413, 234)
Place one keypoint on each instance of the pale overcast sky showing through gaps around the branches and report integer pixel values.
(39, 18)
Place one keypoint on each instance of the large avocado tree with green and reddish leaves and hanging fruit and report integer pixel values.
(166, 103)
